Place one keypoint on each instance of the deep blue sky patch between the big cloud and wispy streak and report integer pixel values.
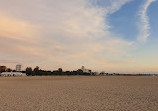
(125, 20)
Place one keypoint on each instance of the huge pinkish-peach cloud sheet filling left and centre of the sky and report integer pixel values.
(67, 33)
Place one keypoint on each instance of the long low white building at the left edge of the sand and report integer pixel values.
(8, 74)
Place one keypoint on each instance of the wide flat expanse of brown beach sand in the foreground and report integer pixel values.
(79, 93)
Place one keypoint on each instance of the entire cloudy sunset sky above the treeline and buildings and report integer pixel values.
(102, 35)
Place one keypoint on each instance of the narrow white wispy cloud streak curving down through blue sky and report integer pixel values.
(144, 26)
